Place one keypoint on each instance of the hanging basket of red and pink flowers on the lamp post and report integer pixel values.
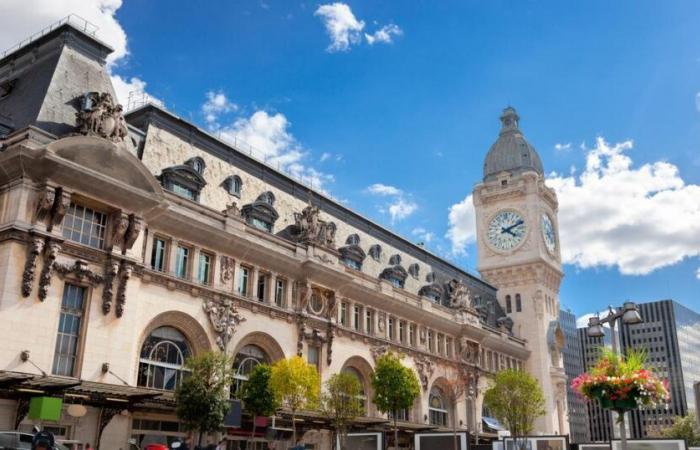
(622, 384)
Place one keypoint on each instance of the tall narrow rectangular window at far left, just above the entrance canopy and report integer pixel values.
(69, 330)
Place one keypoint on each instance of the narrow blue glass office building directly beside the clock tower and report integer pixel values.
(574, 366)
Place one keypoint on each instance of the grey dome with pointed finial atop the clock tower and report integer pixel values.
(511, 152)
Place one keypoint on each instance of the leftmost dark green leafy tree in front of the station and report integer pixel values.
(202, 397)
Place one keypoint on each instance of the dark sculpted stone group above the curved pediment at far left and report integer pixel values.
(100, 116)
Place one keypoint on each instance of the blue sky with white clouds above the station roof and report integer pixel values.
(417, 109)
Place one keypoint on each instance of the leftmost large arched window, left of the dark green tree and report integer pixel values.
(163, 356)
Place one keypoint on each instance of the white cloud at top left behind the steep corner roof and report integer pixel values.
(22, 18)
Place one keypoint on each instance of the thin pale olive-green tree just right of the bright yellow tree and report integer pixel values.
(341, 404)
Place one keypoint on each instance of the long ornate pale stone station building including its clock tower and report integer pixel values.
(129, 242)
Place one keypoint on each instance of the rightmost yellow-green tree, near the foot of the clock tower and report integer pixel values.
(516, 399)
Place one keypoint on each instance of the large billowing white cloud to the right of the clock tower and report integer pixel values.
(636, 219)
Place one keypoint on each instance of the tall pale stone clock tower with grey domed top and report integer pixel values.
(518, 252)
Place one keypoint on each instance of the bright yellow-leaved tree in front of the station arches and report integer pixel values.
(295, 385)
